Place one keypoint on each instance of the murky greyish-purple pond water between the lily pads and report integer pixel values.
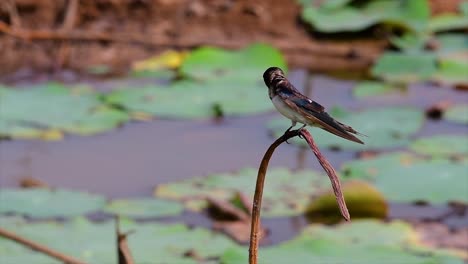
(131, 160)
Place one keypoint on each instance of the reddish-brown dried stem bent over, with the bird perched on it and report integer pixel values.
(257, 202)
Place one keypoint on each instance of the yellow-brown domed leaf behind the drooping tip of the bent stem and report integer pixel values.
(362, 199)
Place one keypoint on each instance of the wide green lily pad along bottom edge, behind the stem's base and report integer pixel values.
(360, 242)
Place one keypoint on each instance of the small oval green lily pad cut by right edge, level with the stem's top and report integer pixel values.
(442, 145)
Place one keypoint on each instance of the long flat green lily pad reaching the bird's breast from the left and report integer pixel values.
(188, 99)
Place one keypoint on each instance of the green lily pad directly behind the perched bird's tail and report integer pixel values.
(377, 123)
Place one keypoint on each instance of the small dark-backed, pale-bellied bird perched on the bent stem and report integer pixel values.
(300, 109)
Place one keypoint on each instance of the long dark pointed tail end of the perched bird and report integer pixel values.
(331, 125)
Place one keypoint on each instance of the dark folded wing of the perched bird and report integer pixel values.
(315, 113)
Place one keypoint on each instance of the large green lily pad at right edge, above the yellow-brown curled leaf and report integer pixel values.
(402, 178)
